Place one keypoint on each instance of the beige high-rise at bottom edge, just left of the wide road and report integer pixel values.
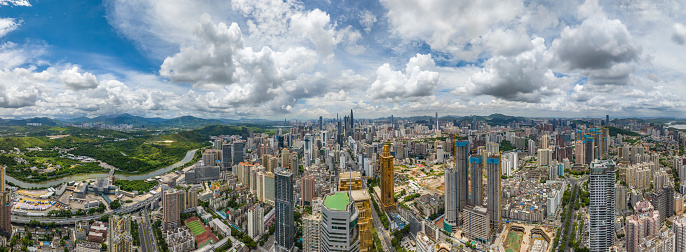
(119, 234)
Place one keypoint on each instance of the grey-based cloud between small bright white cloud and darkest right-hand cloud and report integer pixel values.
(524, 77)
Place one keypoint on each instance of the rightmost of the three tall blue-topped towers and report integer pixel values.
(493, 191)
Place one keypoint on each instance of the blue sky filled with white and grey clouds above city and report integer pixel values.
(304, 59)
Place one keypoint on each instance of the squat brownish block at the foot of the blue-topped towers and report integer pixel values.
(475, 223)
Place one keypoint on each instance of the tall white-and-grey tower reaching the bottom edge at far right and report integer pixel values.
(602, 207)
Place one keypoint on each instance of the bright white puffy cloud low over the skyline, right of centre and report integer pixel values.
(396, 85)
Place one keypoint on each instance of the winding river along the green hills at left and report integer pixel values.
(189, 156)
